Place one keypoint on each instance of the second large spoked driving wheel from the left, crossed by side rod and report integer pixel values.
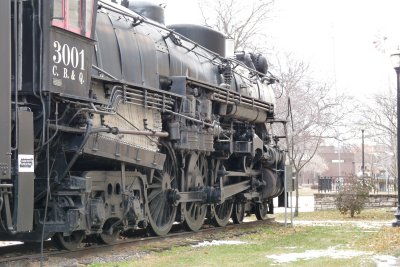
(196, 175)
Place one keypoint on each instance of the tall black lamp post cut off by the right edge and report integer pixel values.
(396, 64)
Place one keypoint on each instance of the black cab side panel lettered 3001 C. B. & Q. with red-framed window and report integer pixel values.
(69, 45)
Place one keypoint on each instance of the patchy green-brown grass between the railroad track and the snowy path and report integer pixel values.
(278, 240)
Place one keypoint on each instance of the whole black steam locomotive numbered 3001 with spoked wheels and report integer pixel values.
(112, 121)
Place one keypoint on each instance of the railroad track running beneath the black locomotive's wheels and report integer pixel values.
(31, 252)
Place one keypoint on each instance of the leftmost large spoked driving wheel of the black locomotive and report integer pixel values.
(161, 212)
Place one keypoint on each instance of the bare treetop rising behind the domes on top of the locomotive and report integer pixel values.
(241, 20)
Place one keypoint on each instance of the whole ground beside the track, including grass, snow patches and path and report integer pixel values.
(317, 239)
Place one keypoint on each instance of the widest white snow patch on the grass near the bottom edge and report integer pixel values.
(312, 254)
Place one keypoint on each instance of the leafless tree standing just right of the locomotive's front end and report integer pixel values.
(314, 111)
